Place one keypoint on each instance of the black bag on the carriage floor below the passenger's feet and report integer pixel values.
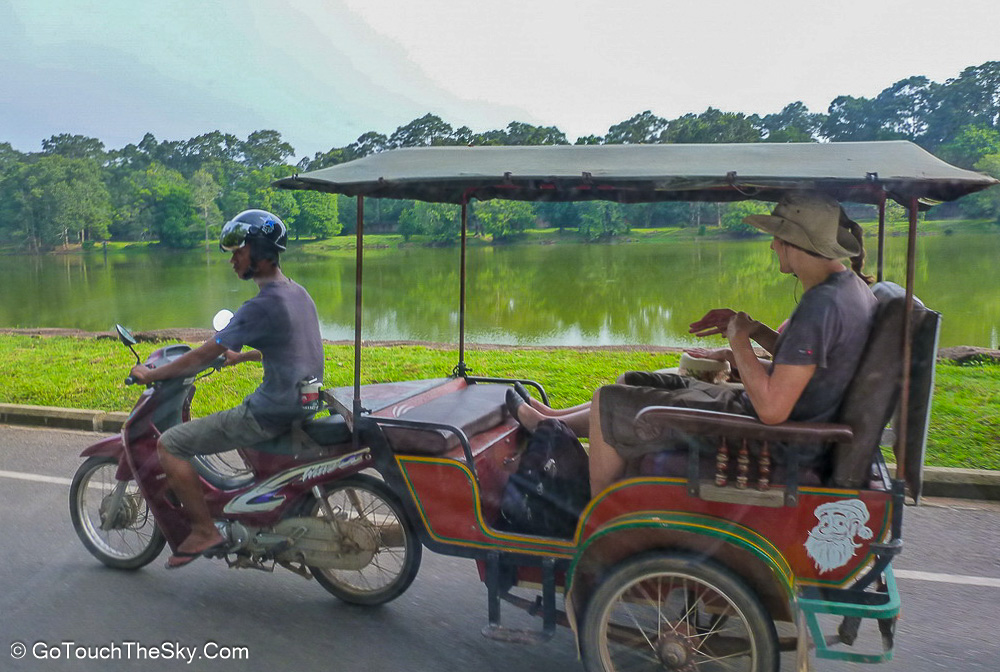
(551, 486)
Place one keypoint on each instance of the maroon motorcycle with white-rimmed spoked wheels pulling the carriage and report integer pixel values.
(300, 501)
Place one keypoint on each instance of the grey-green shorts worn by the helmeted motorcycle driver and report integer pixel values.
(216, 433)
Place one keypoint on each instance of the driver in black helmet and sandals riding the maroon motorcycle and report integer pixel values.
(281, 326)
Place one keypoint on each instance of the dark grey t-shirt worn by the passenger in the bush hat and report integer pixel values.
(829, 328)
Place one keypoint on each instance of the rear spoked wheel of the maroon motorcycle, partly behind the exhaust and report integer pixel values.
(395, 556)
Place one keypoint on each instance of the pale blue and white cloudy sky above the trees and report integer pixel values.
(322, 72)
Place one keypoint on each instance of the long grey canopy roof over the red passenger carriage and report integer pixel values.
(851, 171)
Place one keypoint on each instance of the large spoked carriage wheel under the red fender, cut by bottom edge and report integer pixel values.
(680, 614)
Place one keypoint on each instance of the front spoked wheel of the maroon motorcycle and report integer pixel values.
(111, 517)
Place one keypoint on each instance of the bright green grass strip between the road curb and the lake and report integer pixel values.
(79, 373)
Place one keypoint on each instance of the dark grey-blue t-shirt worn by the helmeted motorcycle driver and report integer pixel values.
(281, 322)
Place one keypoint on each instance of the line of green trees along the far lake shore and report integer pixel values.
(74, 191)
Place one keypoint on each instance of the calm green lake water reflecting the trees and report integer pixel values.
(537, 294)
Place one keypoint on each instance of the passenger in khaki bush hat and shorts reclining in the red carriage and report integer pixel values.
(814, 358)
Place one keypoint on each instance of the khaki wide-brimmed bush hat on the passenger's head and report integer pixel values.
(809, 220)
